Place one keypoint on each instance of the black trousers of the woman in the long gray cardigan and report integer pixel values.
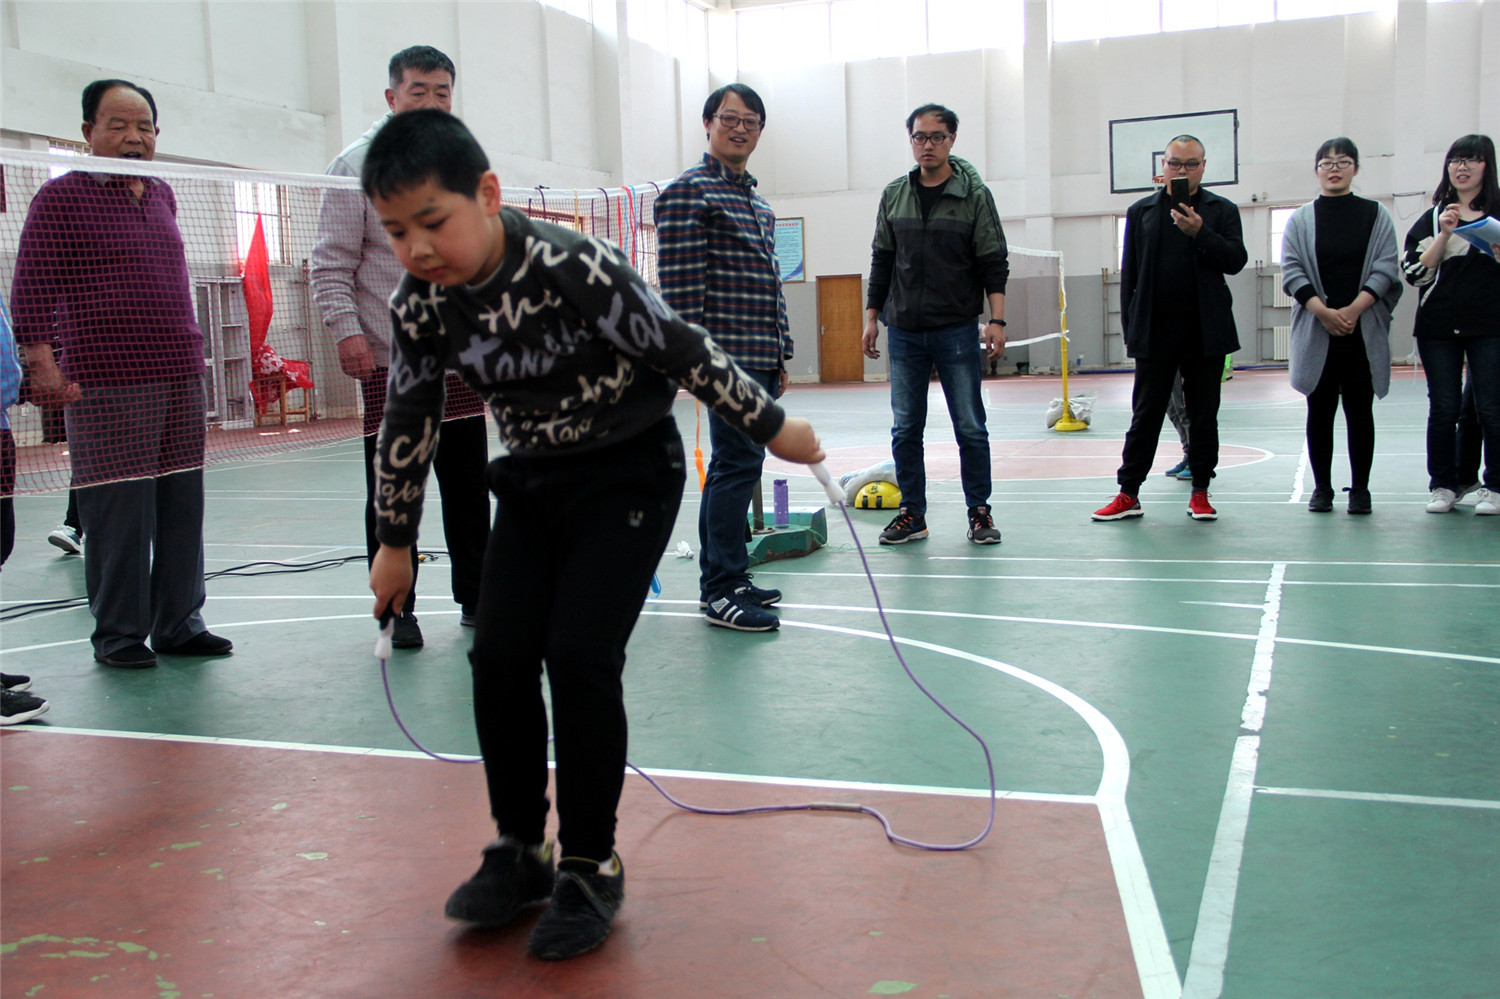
(1346, 374)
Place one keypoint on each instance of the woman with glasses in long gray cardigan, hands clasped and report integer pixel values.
(1339, 260)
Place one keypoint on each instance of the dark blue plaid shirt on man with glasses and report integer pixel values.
(716, 260)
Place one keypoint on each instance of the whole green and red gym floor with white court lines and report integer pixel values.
(1256, 758)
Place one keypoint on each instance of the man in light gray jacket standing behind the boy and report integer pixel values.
(353, 275)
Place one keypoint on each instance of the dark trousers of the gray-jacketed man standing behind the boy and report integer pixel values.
(460, 469)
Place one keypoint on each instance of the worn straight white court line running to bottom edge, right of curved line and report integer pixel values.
(1205, 979)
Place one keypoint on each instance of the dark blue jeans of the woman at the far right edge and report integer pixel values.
(1445, 388)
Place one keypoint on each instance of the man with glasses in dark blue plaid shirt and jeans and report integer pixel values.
(716, 259)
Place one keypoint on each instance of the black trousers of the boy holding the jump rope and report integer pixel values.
(568, 571)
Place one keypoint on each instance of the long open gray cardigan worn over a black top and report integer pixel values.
(1381, 274)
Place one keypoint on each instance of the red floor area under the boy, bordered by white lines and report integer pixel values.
(136, 868)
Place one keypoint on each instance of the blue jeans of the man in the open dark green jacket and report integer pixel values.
(955, 352)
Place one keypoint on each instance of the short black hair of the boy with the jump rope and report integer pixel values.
(421, 146)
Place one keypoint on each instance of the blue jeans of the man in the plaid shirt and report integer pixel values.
(734, 469)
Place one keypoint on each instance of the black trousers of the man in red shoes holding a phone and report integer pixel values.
(1201, 394)
